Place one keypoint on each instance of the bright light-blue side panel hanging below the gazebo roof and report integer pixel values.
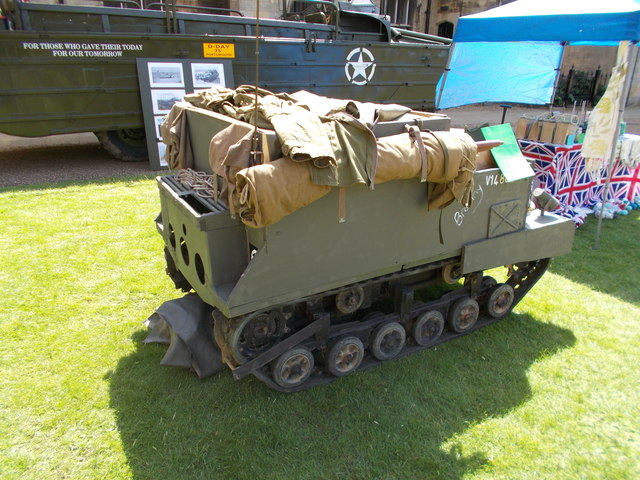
(480, 75)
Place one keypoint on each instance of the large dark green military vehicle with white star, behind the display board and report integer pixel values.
(72, 68)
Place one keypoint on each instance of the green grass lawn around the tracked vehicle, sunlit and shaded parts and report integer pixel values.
(552, 391)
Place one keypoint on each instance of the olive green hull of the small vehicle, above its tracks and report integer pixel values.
(388, 231)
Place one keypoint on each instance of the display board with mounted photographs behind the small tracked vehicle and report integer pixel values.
(165, 82)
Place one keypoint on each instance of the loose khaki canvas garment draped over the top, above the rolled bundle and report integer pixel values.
(332, 134)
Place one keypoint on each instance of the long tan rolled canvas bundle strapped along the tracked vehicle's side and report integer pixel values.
(266, 193)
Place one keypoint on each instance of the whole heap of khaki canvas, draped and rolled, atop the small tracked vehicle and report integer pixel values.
(349, 154)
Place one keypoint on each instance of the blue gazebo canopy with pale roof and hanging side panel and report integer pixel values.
(490, 37)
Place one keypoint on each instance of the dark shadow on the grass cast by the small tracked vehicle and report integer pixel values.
(394, 421)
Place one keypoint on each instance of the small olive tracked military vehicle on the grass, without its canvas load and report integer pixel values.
(355, 278)
